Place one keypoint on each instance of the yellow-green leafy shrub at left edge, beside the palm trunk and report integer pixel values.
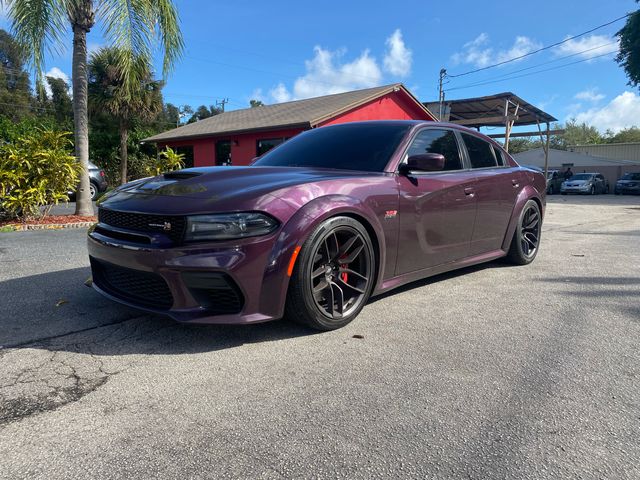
(37, 170)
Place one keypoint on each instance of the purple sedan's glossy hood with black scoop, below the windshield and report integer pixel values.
(214, 188)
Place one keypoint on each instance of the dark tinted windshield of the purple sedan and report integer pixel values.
(350, 146)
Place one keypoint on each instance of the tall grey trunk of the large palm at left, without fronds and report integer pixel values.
(81, 20)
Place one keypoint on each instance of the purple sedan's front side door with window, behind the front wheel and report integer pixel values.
(437, 209)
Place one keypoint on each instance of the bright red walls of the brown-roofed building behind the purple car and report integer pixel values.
(393, 106)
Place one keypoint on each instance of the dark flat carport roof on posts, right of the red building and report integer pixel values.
(489, 111)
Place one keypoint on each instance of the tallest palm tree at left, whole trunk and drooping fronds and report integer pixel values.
(132, 27)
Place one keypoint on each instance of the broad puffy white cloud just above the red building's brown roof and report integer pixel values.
(326, 74)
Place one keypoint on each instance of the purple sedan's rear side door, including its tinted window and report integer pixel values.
(497, 187)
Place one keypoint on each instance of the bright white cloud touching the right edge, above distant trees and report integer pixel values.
(622, 112)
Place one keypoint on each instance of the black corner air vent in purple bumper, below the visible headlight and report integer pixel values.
(215, 291)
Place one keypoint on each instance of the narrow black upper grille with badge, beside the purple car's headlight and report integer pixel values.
(172, 226)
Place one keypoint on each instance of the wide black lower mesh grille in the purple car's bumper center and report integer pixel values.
(143, 288)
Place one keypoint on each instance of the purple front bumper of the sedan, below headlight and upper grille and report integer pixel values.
(227, 283)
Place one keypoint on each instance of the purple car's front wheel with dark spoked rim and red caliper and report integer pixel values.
(333, 276)
